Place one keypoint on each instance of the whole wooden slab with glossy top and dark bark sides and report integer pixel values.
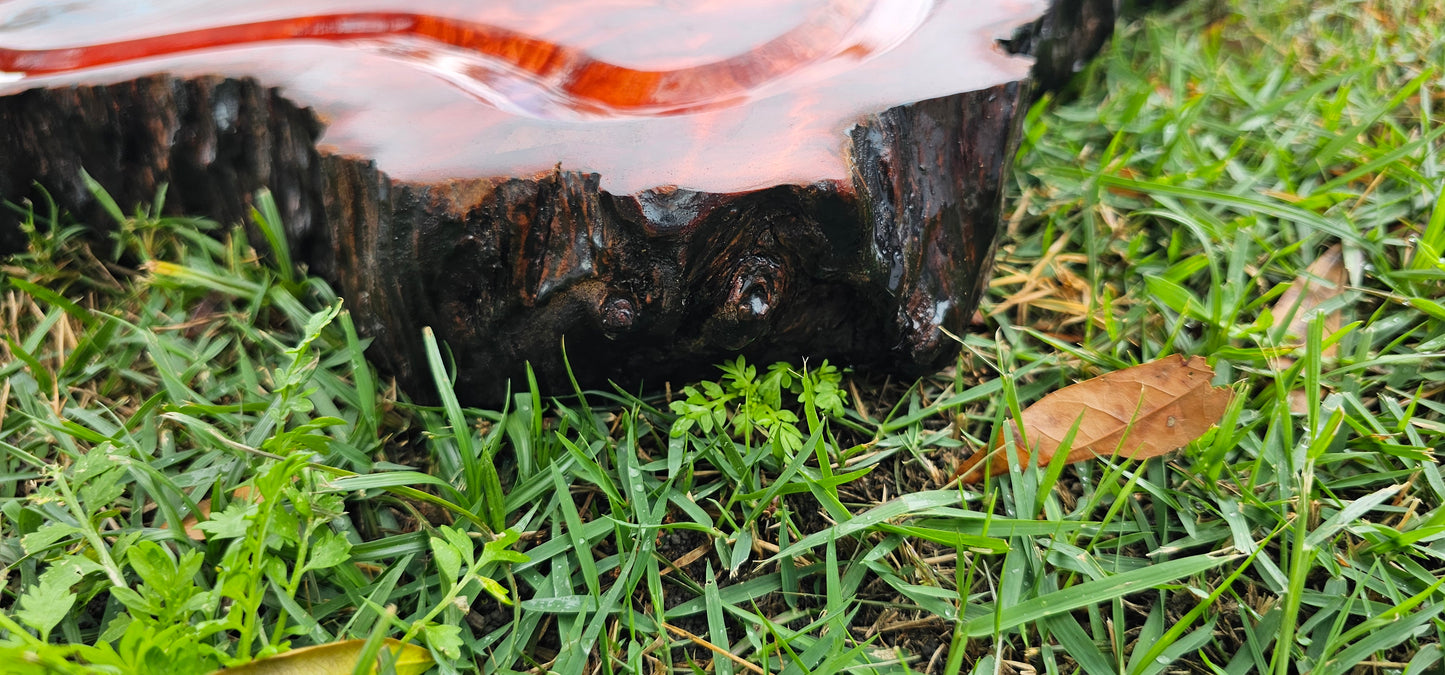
(824, 189)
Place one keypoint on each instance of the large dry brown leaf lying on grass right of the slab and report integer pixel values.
(1136, 414)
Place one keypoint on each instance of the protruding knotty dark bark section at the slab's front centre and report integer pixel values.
(665, 284)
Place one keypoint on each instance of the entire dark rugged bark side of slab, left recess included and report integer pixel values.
(872, 271)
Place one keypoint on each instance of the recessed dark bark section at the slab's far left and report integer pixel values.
(213, 142)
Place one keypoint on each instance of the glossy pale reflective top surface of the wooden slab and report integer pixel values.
(716, 96)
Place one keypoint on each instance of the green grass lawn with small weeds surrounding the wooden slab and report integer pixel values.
(798, 518)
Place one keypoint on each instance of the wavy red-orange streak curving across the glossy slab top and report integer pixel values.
(582, 83)
